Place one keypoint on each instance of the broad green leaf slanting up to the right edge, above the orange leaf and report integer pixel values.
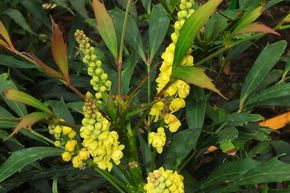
(262, 66)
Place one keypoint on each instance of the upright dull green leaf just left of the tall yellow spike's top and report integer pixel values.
(158, 25)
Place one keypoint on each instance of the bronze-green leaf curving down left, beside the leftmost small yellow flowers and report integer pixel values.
(29, 120)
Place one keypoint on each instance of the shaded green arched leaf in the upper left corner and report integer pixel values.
(19, 19)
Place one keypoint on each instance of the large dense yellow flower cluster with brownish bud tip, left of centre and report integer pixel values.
(102, 144)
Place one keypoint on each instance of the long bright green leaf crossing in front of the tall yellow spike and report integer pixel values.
(191, 28)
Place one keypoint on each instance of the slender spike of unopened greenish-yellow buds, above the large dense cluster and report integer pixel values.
(99, 79)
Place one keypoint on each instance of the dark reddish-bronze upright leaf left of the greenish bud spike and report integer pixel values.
(59, 51)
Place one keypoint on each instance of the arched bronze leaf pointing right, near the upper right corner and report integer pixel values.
(256, 27)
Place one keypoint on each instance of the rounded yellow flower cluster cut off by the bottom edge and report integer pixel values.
(164, 181)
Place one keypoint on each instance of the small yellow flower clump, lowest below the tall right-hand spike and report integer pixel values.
(157, 139)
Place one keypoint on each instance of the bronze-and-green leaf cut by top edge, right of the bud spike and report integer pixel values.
(106, 27)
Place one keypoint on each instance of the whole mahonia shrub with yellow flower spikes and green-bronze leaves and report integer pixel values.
(144, 121)
